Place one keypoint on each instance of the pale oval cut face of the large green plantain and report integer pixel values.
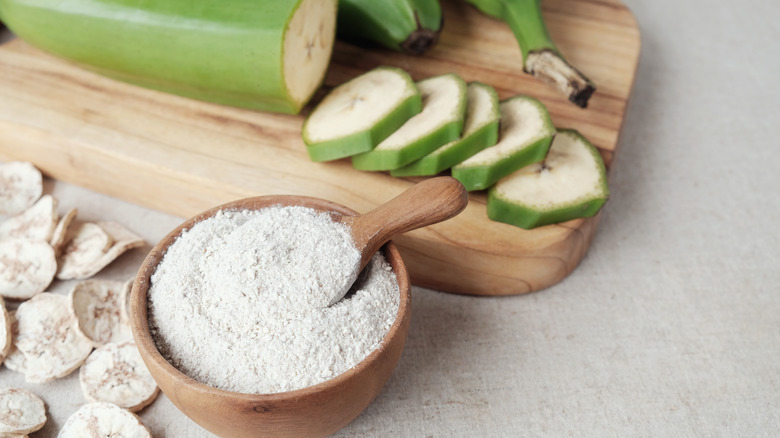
(308, 44)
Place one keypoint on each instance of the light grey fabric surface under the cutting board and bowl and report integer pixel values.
(671, 324)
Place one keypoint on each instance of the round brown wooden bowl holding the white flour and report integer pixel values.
(317, 410)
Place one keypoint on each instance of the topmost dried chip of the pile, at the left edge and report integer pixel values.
(21, 184)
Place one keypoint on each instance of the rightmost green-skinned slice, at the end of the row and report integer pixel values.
(570, 183)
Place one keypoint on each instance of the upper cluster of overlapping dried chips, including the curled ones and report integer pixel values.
(36, 244)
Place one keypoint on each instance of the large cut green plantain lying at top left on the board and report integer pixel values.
(266, 55)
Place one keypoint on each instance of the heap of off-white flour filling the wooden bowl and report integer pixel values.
(236, 301)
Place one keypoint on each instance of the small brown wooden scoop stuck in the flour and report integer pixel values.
(428, 202)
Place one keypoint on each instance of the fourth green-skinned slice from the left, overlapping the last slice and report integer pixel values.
(525, 134)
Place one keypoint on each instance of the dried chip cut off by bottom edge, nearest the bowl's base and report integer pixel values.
(103, 419)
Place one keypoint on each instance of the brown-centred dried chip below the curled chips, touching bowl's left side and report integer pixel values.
(97, 305)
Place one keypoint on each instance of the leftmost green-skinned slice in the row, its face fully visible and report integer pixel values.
(357, 115)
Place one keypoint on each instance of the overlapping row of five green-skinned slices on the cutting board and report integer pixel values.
(535, 174)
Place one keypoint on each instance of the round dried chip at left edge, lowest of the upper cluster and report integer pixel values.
(27, 267)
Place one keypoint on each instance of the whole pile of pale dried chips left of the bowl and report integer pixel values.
(50, 335)
